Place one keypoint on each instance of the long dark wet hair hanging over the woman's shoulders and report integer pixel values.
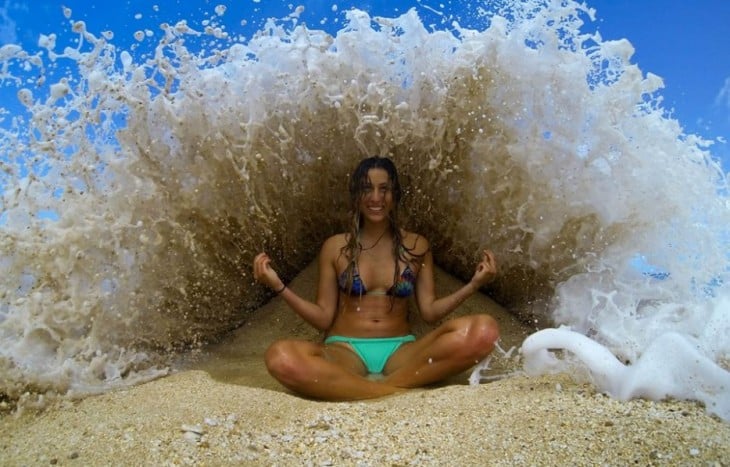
(359, 181)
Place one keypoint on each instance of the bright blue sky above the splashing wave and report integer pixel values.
(685, 42)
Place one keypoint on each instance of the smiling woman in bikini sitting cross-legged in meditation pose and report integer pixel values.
(365, 279)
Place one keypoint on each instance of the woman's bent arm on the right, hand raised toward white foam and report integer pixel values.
(433, 309)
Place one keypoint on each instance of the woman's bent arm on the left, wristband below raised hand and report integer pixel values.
(319, 314)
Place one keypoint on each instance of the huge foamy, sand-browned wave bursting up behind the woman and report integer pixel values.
(140, 180)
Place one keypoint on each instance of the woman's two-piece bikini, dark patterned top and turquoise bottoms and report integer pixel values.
(375, 351)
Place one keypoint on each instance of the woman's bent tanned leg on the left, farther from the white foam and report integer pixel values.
(331, 372)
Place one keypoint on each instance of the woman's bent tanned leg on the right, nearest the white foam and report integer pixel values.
(451, 348)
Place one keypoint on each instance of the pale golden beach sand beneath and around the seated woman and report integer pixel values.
(222, 408)
